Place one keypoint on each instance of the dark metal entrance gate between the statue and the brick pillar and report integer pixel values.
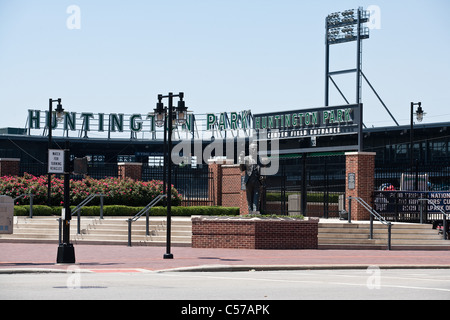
(319, 177)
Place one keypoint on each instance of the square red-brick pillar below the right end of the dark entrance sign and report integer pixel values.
(360, 174)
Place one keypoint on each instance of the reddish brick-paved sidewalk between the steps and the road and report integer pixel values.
(23, 257)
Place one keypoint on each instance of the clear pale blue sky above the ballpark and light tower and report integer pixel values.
(224, 55)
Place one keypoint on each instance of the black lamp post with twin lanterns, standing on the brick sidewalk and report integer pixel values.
(166, 117)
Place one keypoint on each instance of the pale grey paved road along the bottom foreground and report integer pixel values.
(358, 284)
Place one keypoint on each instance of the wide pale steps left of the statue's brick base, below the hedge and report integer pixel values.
(111, 230)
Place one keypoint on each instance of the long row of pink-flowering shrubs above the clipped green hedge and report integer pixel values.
(117, 191)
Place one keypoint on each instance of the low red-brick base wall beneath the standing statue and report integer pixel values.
(254, 234)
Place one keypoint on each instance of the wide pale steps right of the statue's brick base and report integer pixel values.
(355, 235)
